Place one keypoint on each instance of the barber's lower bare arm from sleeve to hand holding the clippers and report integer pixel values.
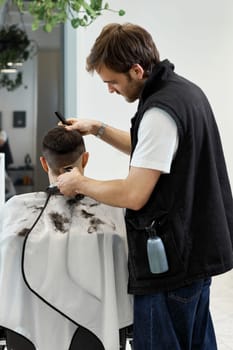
(132, 192)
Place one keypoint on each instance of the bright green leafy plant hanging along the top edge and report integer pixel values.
(50, 13)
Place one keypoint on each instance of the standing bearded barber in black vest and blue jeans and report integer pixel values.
(177, 183)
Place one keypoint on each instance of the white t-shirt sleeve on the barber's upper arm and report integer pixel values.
(157, 141)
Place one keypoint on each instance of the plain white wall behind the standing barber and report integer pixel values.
(195, 35)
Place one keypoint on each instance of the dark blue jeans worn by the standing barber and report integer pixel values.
(175, 320)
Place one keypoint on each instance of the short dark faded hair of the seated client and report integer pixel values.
(62, 147)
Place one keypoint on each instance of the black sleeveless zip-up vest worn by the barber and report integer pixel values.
(192, 205)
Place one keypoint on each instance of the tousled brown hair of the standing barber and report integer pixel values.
(119, 46)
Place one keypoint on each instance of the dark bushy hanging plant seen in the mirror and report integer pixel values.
(15, 48)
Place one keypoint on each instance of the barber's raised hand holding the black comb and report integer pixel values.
(84, 126)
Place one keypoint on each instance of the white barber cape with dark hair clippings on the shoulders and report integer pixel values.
(70, 270)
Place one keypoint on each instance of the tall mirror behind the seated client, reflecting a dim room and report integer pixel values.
(28, 111)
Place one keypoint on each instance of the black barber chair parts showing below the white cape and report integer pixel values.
(83, 339)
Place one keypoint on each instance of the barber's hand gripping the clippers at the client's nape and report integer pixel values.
(68, 182)
